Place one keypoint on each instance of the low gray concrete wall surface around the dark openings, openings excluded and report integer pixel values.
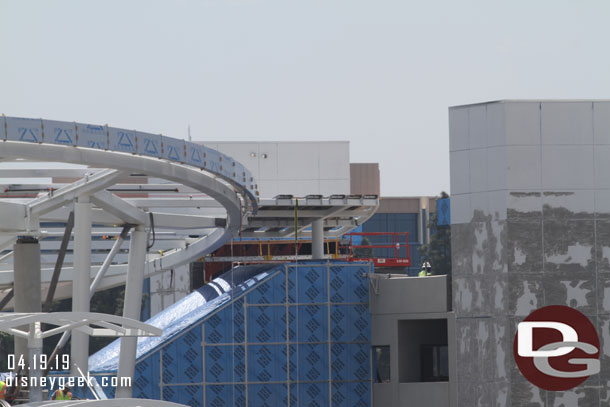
(396, 300)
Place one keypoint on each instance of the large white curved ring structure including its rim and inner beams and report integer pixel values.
(196, 168)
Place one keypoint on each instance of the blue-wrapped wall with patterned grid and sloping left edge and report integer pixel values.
(280, 335)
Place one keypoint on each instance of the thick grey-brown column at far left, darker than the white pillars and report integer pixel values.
(26, 262)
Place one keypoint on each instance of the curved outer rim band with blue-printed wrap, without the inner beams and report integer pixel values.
(201, 168)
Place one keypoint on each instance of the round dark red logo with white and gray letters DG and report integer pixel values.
(556, 348)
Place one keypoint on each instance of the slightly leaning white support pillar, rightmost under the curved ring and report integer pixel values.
(133, 305)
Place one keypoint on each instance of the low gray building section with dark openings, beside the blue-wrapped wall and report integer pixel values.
(411, 320)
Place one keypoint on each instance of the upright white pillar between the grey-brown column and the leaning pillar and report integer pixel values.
(81, 280)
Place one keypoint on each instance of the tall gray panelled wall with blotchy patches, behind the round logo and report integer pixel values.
(530, 210)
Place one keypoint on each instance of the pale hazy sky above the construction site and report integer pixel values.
(379, 73)
